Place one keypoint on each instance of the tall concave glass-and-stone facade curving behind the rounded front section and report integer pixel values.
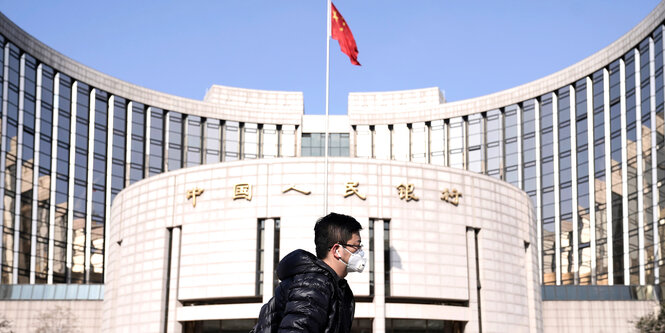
(587, 145)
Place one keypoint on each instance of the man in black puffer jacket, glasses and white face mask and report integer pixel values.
(313, 295)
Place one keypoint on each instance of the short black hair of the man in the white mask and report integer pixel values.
(332, 229)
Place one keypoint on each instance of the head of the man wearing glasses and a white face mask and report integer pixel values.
(337, 238)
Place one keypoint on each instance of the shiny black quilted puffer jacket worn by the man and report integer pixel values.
(310, 298)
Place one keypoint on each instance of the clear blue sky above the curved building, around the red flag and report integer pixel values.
(466, 48)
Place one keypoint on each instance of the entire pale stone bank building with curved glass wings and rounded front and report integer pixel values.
(540, 208)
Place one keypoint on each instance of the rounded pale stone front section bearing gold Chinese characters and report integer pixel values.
(198, 247)
